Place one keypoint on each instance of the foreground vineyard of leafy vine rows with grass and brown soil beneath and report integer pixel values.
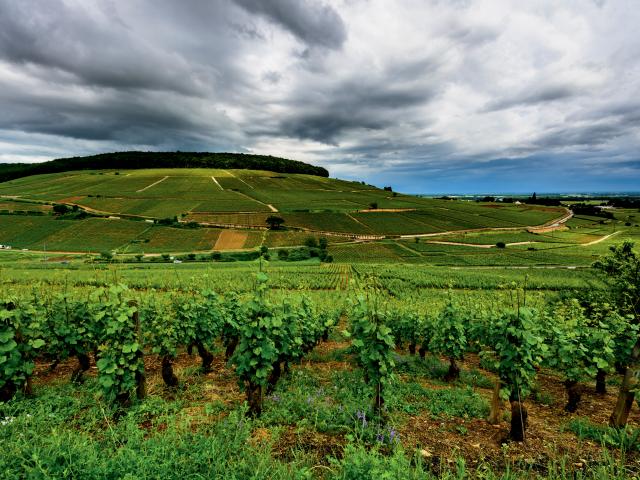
(331, 371)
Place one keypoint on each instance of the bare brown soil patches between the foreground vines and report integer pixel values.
(439, 441)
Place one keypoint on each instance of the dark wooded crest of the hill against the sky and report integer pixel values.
(139, 160)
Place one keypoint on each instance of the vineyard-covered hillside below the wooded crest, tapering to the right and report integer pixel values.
(136, 211)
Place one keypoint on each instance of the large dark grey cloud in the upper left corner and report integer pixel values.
(96, 50)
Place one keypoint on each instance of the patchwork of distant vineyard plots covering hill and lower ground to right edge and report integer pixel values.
(238, 202)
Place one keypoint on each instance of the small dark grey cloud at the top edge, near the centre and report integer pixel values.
(311, 21)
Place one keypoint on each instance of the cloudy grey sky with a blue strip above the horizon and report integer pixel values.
(439, 96)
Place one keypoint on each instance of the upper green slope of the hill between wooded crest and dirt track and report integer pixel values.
(168, 192)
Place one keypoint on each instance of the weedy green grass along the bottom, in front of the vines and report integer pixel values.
(316, 424)
